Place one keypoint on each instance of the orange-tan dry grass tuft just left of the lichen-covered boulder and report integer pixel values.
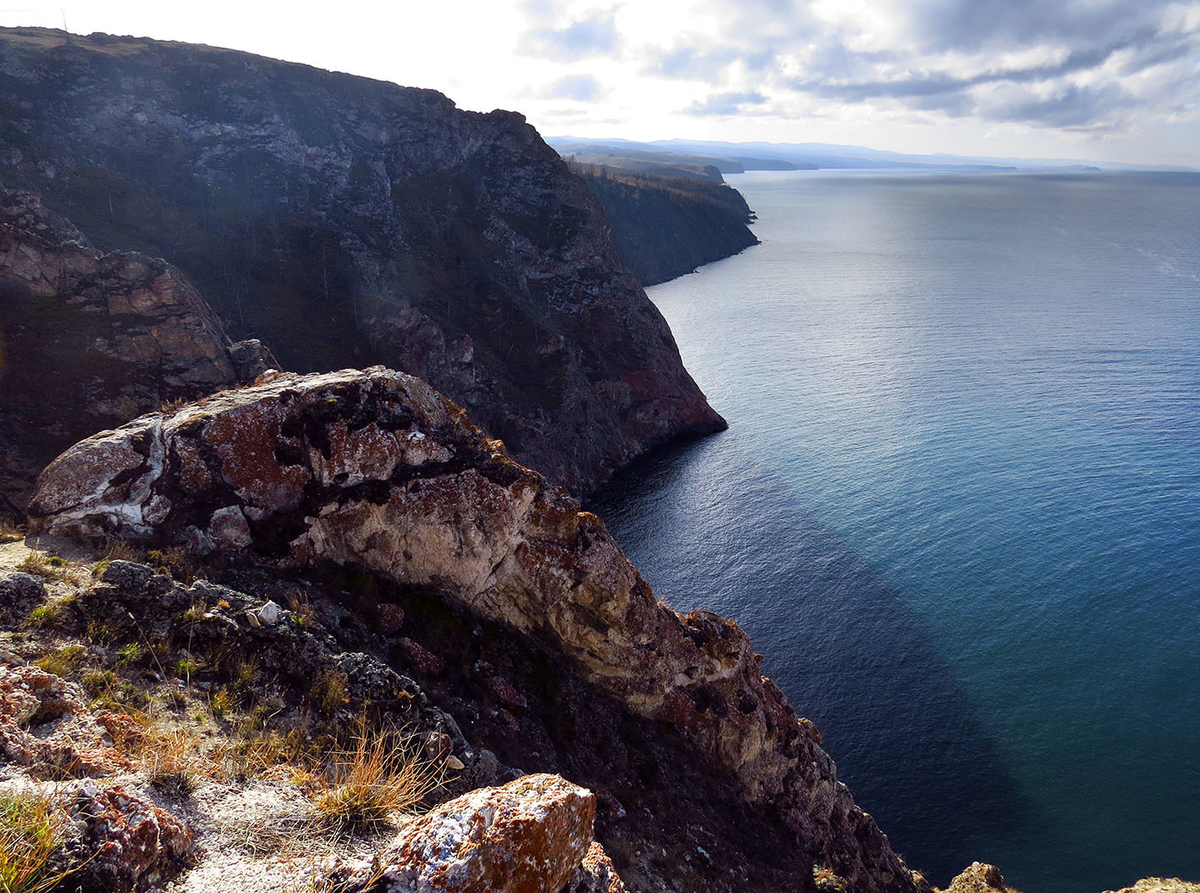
(377, 777)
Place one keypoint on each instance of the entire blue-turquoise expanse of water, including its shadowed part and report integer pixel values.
(959, 504)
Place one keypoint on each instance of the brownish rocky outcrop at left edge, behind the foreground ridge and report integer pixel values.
(89, 341)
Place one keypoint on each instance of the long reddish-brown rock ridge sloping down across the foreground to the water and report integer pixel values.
(377, 471)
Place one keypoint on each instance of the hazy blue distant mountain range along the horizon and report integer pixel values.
(736, 158)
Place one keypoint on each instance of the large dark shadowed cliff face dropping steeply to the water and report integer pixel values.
(346, 221)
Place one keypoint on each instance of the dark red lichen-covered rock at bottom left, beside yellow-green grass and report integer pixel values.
(124, 844)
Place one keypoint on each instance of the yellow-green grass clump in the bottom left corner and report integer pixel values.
(32, 828)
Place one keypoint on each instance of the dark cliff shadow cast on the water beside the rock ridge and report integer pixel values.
(711, 529)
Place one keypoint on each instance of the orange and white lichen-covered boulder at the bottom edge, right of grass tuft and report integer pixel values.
(526, 837)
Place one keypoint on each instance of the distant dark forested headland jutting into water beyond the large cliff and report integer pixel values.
(665, 227)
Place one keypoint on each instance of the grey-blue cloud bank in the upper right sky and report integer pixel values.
(1070, 65)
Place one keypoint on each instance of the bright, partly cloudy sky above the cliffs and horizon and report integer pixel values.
(1115, 81)
